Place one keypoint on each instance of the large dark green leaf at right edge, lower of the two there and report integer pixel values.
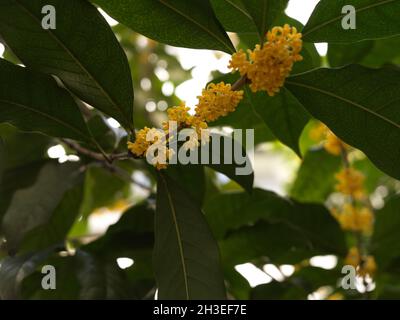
(360, 105)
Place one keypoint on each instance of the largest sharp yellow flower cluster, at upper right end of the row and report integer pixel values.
(269, 65)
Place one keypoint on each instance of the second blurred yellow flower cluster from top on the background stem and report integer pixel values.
(350, 182)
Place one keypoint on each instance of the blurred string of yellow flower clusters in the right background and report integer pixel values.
(356, 214)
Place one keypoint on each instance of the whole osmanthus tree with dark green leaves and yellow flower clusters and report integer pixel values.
(59, 85)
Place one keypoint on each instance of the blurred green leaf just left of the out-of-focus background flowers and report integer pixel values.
(315, 179)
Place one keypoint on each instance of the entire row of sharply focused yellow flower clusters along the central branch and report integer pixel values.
(265, 68)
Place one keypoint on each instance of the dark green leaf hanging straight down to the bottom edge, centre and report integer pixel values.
(186, 257)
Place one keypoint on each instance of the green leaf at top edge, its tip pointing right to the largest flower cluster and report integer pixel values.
(178, 22)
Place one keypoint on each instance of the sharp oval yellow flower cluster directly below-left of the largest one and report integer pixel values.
(216, 101)
